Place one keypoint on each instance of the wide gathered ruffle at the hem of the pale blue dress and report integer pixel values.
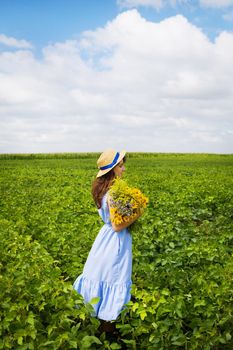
(112, 296)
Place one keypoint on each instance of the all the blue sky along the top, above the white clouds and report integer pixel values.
(42, 22)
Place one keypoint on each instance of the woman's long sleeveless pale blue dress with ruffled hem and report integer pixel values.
(108, 269)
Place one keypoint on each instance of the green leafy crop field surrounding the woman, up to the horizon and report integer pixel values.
(182, 253)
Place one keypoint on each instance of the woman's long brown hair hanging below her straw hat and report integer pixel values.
(101, 185)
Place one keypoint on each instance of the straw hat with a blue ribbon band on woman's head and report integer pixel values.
(108, 160)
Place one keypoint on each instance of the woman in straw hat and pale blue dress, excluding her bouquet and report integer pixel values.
(107, 271)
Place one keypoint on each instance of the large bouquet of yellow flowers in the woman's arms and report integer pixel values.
(125, 201)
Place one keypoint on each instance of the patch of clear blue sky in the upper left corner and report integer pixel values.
(42, 22)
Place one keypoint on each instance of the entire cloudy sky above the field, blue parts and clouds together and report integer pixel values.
(157, 71)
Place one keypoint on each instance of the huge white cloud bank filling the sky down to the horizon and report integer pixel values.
(132, 84)
